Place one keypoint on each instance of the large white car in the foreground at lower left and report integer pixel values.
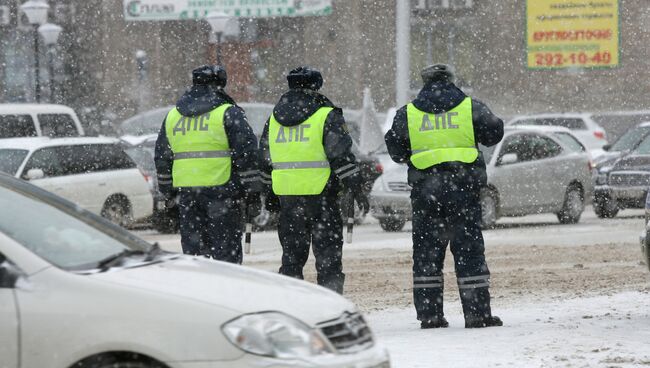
(78, 291)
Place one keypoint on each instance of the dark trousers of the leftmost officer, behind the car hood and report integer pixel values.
(210, 225)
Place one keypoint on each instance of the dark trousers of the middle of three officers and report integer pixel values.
(314, 220)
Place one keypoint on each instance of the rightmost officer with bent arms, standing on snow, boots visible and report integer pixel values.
(437, 135)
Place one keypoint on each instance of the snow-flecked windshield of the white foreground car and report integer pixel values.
(60, 233)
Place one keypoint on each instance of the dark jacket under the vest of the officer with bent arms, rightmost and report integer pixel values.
(435, 98)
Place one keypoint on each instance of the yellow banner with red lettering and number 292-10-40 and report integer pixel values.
(565, 33)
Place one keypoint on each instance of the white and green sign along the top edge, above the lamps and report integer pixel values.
(158, 10)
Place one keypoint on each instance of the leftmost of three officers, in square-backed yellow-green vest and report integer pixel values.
(207, 152)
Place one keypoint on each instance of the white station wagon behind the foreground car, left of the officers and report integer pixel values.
(94, 173)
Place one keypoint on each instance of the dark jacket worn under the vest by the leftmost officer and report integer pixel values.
(201, 99)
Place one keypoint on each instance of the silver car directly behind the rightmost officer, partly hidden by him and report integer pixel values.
(533, 170)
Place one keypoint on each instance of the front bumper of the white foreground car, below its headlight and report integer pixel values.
(376, 357)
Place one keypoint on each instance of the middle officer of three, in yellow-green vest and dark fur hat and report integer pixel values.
(307, 151)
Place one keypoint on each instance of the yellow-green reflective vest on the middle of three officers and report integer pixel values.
(300, 165)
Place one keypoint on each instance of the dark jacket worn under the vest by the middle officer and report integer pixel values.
(295, 107)
